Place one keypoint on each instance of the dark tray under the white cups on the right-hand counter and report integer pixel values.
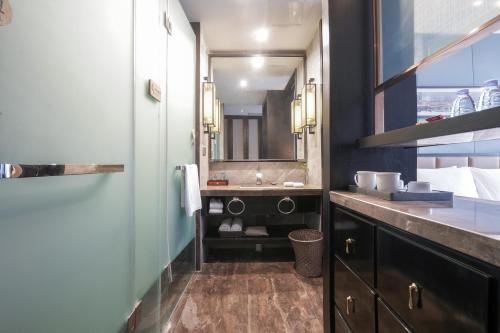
(405, 196)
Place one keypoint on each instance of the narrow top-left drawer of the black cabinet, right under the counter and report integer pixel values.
(354, 244)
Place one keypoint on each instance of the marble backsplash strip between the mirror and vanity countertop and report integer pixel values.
(240, 173)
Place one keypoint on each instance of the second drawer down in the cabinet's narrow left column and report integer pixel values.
(355, 301)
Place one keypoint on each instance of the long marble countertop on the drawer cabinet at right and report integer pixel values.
(470, 226)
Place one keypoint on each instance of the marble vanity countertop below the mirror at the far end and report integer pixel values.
(260, 190)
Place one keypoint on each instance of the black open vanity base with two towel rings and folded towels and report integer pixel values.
(266, 222)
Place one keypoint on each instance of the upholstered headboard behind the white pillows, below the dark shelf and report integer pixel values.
(445, 161)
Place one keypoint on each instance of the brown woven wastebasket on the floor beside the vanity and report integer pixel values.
(308, 247)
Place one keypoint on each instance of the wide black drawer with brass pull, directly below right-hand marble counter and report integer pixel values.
(430, 291)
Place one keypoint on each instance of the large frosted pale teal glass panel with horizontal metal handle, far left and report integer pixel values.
(66, 97)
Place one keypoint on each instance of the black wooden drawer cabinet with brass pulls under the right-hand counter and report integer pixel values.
(402, 283)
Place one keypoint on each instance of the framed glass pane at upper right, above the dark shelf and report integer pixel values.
(410, 30)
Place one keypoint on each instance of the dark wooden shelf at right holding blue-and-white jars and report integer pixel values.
(477, 126)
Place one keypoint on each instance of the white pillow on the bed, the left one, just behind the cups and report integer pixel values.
(453, 179)
